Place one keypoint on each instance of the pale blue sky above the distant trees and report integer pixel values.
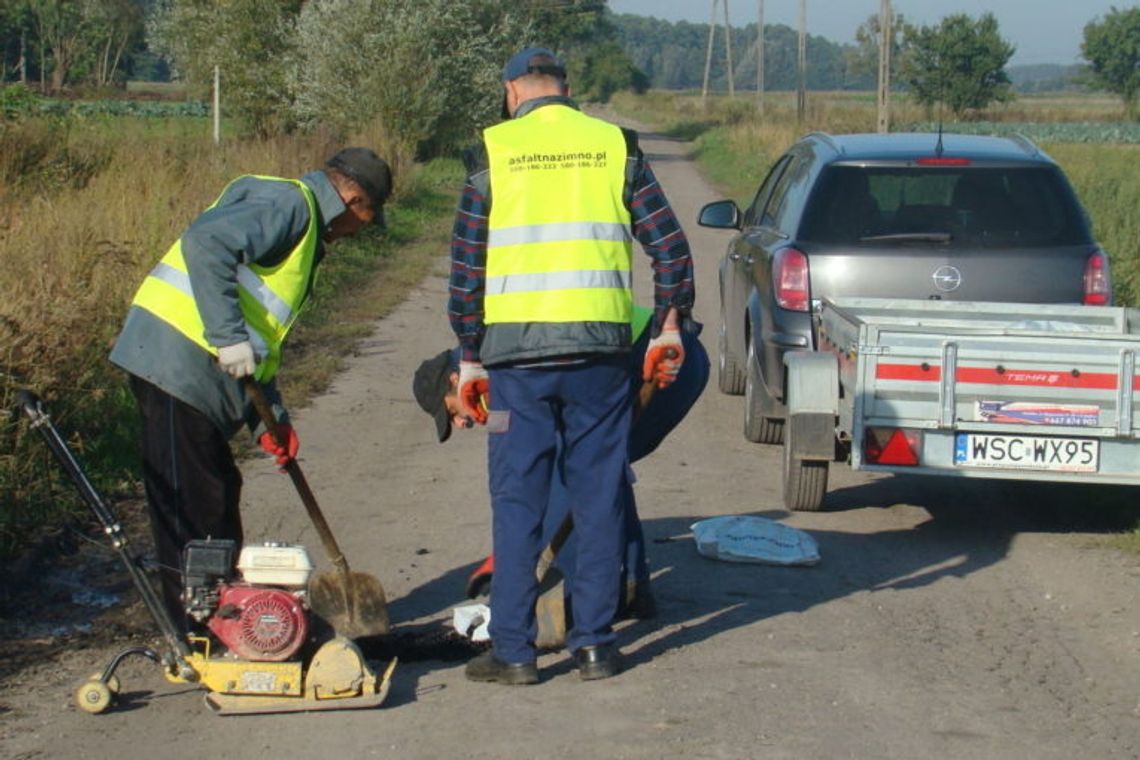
(1044, 31)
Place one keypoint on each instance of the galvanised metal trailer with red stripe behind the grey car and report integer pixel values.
(964, 389)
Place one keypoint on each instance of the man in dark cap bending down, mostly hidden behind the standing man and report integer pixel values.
(435, 387)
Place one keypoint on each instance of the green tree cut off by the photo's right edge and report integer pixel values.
(1112, 47)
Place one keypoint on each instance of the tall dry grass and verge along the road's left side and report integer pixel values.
(87, 207)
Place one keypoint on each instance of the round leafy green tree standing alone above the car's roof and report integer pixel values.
(960, 62)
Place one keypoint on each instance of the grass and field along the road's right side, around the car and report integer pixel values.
(736, 145)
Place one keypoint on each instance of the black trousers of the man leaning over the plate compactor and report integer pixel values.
(193, 486)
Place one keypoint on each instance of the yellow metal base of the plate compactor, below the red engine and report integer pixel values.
(338, 679)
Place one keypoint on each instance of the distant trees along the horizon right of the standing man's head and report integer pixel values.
(960, 62)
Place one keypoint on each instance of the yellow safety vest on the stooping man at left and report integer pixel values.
(271, 298)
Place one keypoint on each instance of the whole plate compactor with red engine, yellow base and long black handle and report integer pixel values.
(262, 649)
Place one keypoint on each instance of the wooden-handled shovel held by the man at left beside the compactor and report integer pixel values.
(353, 603)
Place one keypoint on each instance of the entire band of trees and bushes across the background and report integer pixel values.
(418, 64)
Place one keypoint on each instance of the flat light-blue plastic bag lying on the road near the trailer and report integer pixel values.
(743, 538)
